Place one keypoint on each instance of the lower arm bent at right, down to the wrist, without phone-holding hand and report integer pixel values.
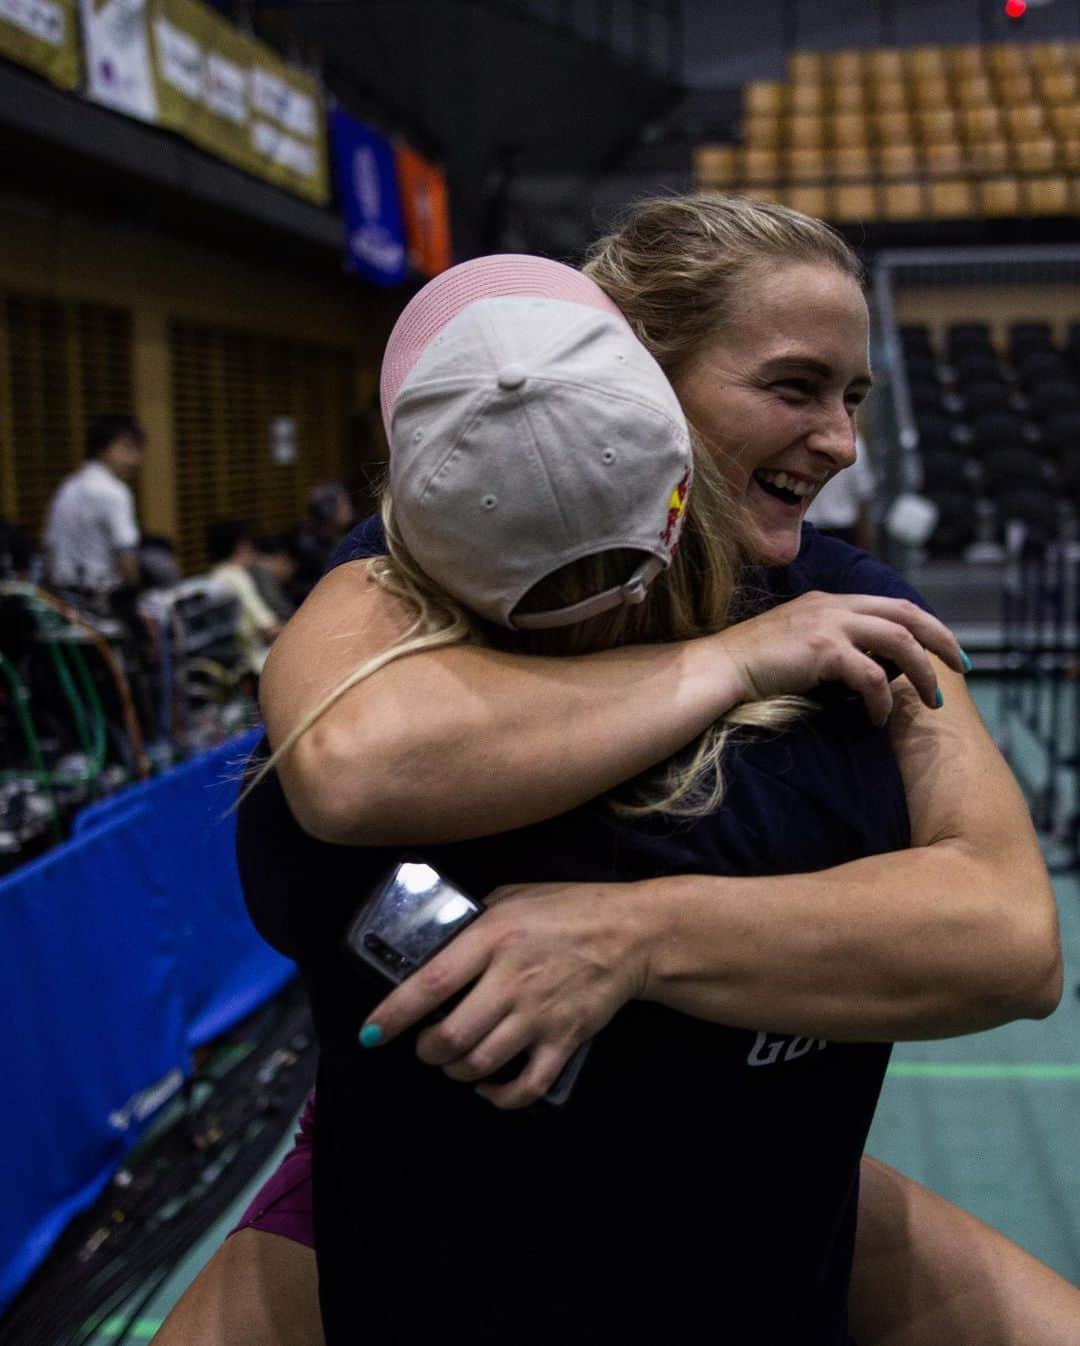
(957, 935)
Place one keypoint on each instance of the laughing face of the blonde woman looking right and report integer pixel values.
(774, 396)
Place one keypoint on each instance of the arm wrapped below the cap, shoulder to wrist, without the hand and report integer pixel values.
(465, 742)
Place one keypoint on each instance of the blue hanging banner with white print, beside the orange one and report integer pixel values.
(375, 231)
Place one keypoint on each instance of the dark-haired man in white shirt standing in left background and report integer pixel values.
(91, 535)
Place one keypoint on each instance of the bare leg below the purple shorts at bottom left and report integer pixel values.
(258, 1290)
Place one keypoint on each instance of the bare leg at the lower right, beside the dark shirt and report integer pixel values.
(927, 1274)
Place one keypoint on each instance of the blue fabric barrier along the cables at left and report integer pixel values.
(125, 948)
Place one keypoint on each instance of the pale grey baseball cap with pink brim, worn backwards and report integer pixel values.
(530, 429)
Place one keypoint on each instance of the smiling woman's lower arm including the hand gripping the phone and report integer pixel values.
(957, 935)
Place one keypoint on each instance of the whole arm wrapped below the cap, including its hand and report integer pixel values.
(461, 742)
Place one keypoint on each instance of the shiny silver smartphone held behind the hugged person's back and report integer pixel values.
(409, 919)
